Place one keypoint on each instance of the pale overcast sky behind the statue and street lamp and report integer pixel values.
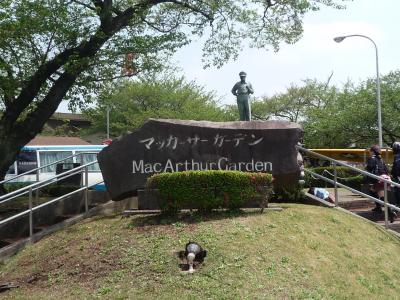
(315, 56)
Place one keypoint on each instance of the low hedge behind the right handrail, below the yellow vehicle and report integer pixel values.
(345, 175)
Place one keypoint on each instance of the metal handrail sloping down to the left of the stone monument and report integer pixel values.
(37, 185)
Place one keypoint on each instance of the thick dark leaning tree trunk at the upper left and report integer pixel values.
(15, 132)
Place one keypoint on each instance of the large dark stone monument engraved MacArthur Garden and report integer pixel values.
(177, 145)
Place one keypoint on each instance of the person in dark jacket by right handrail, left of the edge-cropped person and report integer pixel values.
(377, 166)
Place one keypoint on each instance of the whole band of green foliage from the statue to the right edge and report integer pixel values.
(337, 117)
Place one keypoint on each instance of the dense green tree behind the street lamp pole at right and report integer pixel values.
(352, 117)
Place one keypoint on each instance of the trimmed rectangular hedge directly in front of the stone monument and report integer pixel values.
(206, 190)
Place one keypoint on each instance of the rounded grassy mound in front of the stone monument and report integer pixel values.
(301, 252)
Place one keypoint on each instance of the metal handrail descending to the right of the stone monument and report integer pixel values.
(337, 184)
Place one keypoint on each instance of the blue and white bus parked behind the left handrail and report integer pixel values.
(32, 157)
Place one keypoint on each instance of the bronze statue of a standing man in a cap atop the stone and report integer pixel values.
(242, 91)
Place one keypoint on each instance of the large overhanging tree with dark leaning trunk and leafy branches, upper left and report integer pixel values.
(52, 50)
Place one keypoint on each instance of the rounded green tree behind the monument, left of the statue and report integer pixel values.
(132, 103)
